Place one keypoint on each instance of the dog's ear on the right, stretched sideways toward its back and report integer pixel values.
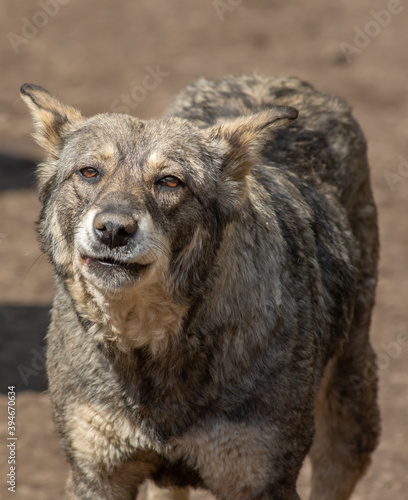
(244, 138)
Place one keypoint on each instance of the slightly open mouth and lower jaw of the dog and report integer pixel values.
(110, 269)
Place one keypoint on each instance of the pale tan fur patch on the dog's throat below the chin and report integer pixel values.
(143, 315)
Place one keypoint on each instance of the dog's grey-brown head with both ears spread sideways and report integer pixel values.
(124, 198)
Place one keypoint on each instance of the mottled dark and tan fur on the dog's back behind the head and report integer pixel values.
(325, 140)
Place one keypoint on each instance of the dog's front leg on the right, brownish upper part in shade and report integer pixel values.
(246, 460)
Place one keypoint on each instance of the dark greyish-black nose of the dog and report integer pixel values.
(114, 229)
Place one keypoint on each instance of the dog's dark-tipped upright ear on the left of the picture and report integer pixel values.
(51, 117)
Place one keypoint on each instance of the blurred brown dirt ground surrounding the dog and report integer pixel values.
(95, 55)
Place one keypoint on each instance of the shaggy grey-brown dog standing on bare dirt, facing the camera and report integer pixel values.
(215, 276)
